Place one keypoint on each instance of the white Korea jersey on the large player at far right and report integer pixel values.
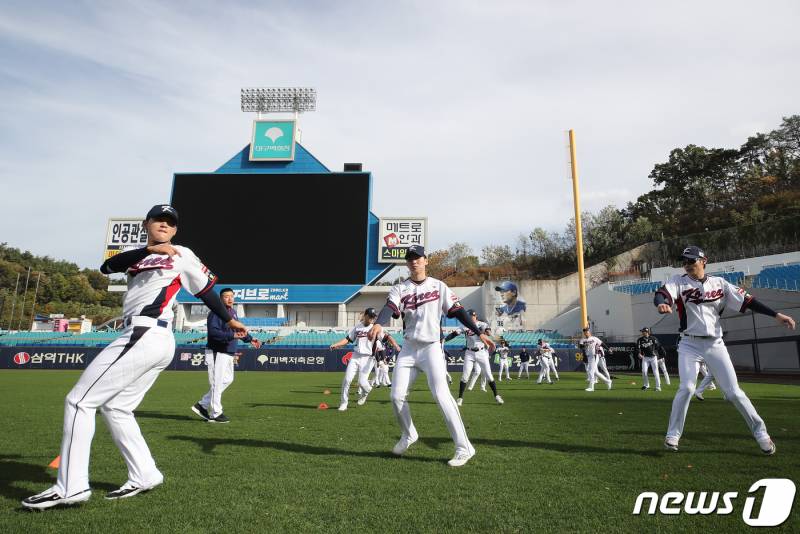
(701, 302)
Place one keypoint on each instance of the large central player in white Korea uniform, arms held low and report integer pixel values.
(421, 301)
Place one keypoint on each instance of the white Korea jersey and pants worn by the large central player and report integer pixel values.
(422, 305)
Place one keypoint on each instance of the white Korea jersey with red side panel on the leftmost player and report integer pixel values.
(154, 282)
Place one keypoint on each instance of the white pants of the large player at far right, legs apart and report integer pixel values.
(692, 351)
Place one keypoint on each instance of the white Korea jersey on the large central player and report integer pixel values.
(422, 305)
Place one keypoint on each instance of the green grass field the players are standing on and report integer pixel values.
(553, 458)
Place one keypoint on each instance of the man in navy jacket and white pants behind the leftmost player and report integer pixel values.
(220, 351)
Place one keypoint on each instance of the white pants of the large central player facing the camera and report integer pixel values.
(417, 356)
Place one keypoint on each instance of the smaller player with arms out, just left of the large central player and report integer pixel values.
(362, 360)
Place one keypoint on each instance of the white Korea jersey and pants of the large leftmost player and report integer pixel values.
(118, 378)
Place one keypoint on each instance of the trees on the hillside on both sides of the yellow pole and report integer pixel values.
(735, 202)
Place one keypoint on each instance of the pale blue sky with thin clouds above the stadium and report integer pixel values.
(458, 108)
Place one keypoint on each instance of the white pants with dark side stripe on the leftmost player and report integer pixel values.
(116, 382)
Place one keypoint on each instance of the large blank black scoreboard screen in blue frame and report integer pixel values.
(276, 228)
